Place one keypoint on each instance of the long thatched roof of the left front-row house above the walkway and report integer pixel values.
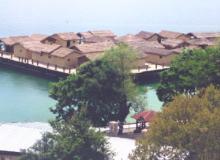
(38, 47)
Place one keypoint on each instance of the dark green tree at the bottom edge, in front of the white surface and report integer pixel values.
(70, 140)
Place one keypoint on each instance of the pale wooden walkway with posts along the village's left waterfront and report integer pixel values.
(9, 56)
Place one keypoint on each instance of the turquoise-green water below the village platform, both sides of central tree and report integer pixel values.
(24, 97)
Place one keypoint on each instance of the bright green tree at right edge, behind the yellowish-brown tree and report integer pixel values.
(190, 71)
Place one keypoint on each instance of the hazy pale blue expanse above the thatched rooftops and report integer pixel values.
(122, 16)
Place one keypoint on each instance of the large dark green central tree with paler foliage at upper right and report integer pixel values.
(104, 87)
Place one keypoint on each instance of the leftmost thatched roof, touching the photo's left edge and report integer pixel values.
(15, 39)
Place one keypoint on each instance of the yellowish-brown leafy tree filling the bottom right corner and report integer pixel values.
(187, 128)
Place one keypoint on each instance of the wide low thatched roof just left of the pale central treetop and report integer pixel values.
(93, 47)
